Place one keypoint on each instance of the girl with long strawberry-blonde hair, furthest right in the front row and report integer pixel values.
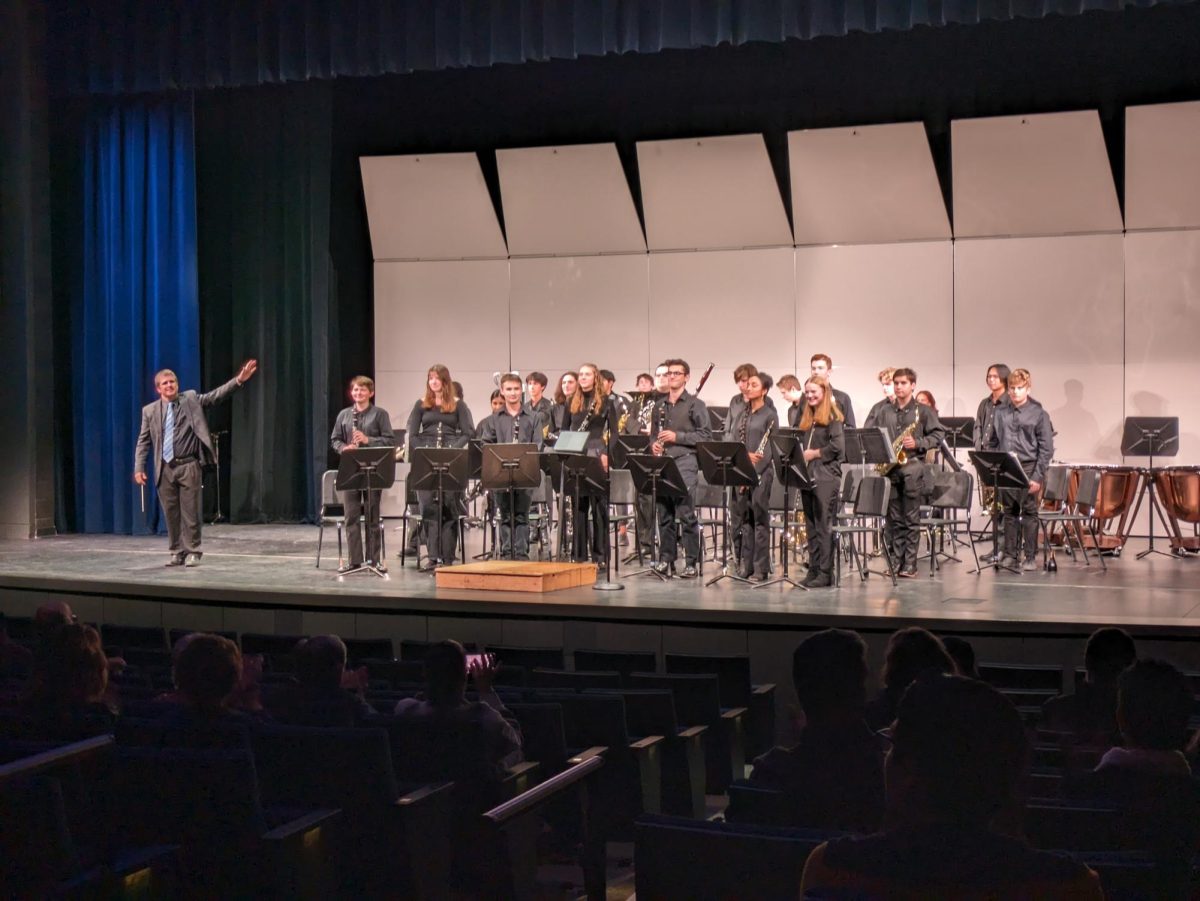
(825, 448)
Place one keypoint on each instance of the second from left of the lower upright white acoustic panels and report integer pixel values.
(573, 310)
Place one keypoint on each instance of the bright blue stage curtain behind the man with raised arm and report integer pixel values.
(137, 308)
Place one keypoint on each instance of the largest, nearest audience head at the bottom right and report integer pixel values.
(958, 754)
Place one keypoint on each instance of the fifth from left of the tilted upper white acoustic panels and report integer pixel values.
(1033, 176)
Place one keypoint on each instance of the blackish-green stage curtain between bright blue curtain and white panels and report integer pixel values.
(268, 290)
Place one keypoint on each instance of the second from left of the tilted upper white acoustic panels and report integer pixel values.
(568, 200)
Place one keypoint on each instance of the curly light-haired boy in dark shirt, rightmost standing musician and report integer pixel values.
(1024, 429)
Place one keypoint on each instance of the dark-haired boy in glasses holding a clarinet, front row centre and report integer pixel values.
(681, 423)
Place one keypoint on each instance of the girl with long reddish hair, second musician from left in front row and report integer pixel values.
(440, 421)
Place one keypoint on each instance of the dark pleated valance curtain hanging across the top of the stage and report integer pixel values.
(134, 46)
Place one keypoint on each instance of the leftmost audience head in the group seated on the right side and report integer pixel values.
(830, 674)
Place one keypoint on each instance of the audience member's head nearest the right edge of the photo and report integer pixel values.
(1154, 706)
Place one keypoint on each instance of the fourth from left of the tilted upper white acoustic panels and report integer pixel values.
(866, 185)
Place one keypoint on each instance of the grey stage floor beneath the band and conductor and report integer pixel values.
(274, 567)
